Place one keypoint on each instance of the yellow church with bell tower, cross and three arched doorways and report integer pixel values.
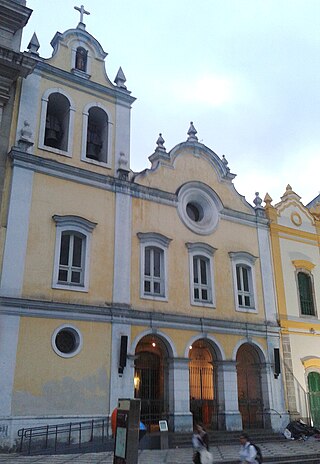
(116, 284)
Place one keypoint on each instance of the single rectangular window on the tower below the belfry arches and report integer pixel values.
(71, 259)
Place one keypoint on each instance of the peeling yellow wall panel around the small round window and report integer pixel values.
(51, 384)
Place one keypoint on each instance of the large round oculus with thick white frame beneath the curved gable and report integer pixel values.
(197, 208)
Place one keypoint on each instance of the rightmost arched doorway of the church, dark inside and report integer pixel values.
(249, 387)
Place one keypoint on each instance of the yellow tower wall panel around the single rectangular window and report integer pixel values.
(96, 205)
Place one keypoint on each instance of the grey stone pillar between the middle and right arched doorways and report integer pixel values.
(229, 414)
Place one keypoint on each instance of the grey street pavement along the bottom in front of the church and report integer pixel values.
(273, 452)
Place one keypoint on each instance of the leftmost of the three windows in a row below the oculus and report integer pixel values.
(153, 271)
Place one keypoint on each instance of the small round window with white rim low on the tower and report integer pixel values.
(66, 341)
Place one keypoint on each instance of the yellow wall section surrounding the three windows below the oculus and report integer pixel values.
(153, 217)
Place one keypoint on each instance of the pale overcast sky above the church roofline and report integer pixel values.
(246, 72)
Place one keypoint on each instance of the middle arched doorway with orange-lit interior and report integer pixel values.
(202, 378)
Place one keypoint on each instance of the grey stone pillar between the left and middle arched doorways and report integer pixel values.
(180, 417)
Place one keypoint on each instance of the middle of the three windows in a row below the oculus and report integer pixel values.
(201, 279)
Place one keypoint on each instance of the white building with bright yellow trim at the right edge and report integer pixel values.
(295, 238)
